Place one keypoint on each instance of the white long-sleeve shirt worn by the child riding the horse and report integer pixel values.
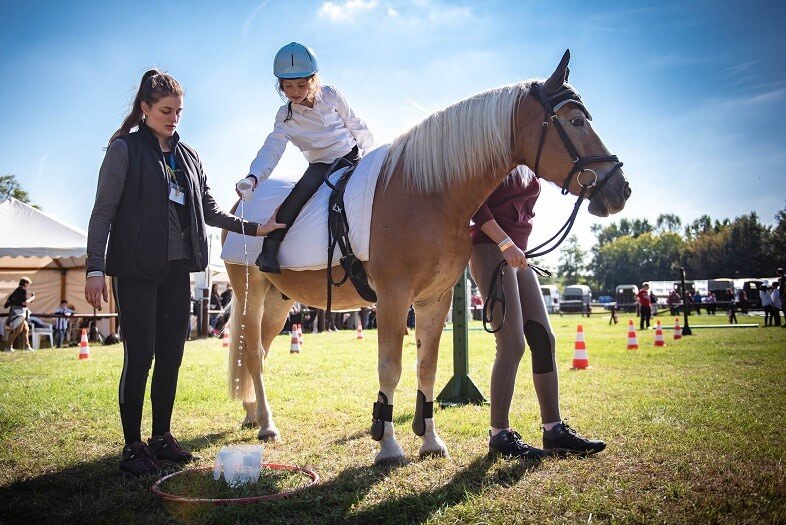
(323, 133)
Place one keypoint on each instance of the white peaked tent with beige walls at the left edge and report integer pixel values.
(51, 253)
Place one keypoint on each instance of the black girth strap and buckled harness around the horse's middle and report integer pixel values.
(338, 235)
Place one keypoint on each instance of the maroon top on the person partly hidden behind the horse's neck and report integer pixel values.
(511, 206)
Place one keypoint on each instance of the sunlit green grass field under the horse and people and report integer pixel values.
(695, 434)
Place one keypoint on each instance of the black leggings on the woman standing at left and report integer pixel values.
(154, 317)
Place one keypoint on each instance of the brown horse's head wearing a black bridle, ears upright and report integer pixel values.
(568, 152)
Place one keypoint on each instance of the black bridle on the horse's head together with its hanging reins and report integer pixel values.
(551, 105)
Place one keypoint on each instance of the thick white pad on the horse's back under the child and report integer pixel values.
(305, 245)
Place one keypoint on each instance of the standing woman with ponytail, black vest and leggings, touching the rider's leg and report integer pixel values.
(153, 195)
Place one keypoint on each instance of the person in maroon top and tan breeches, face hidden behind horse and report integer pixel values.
(501, 230)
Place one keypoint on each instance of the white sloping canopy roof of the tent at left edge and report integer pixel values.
(42, 240)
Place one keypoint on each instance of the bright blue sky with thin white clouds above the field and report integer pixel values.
(690, 95)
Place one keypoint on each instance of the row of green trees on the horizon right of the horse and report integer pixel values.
(634, 250)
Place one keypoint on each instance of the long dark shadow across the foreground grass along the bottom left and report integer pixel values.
(93, 492)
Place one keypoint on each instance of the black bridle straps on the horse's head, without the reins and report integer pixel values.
(551, 104)
